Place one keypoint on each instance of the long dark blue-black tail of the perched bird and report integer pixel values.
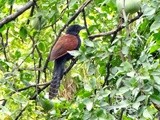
(57, 76)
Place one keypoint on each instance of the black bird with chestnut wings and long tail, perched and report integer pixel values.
(59, 54)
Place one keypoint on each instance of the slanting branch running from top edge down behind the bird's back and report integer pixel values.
(62, 29)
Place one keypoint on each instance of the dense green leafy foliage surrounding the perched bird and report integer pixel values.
(129, 63)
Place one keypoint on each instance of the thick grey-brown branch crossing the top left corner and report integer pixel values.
(15, 15)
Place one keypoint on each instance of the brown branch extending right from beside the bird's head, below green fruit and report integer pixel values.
(119, 28)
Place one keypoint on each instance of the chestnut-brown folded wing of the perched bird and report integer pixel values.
(65, 43)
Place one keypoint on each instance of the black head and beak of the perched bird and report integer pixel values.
(74, 29)
